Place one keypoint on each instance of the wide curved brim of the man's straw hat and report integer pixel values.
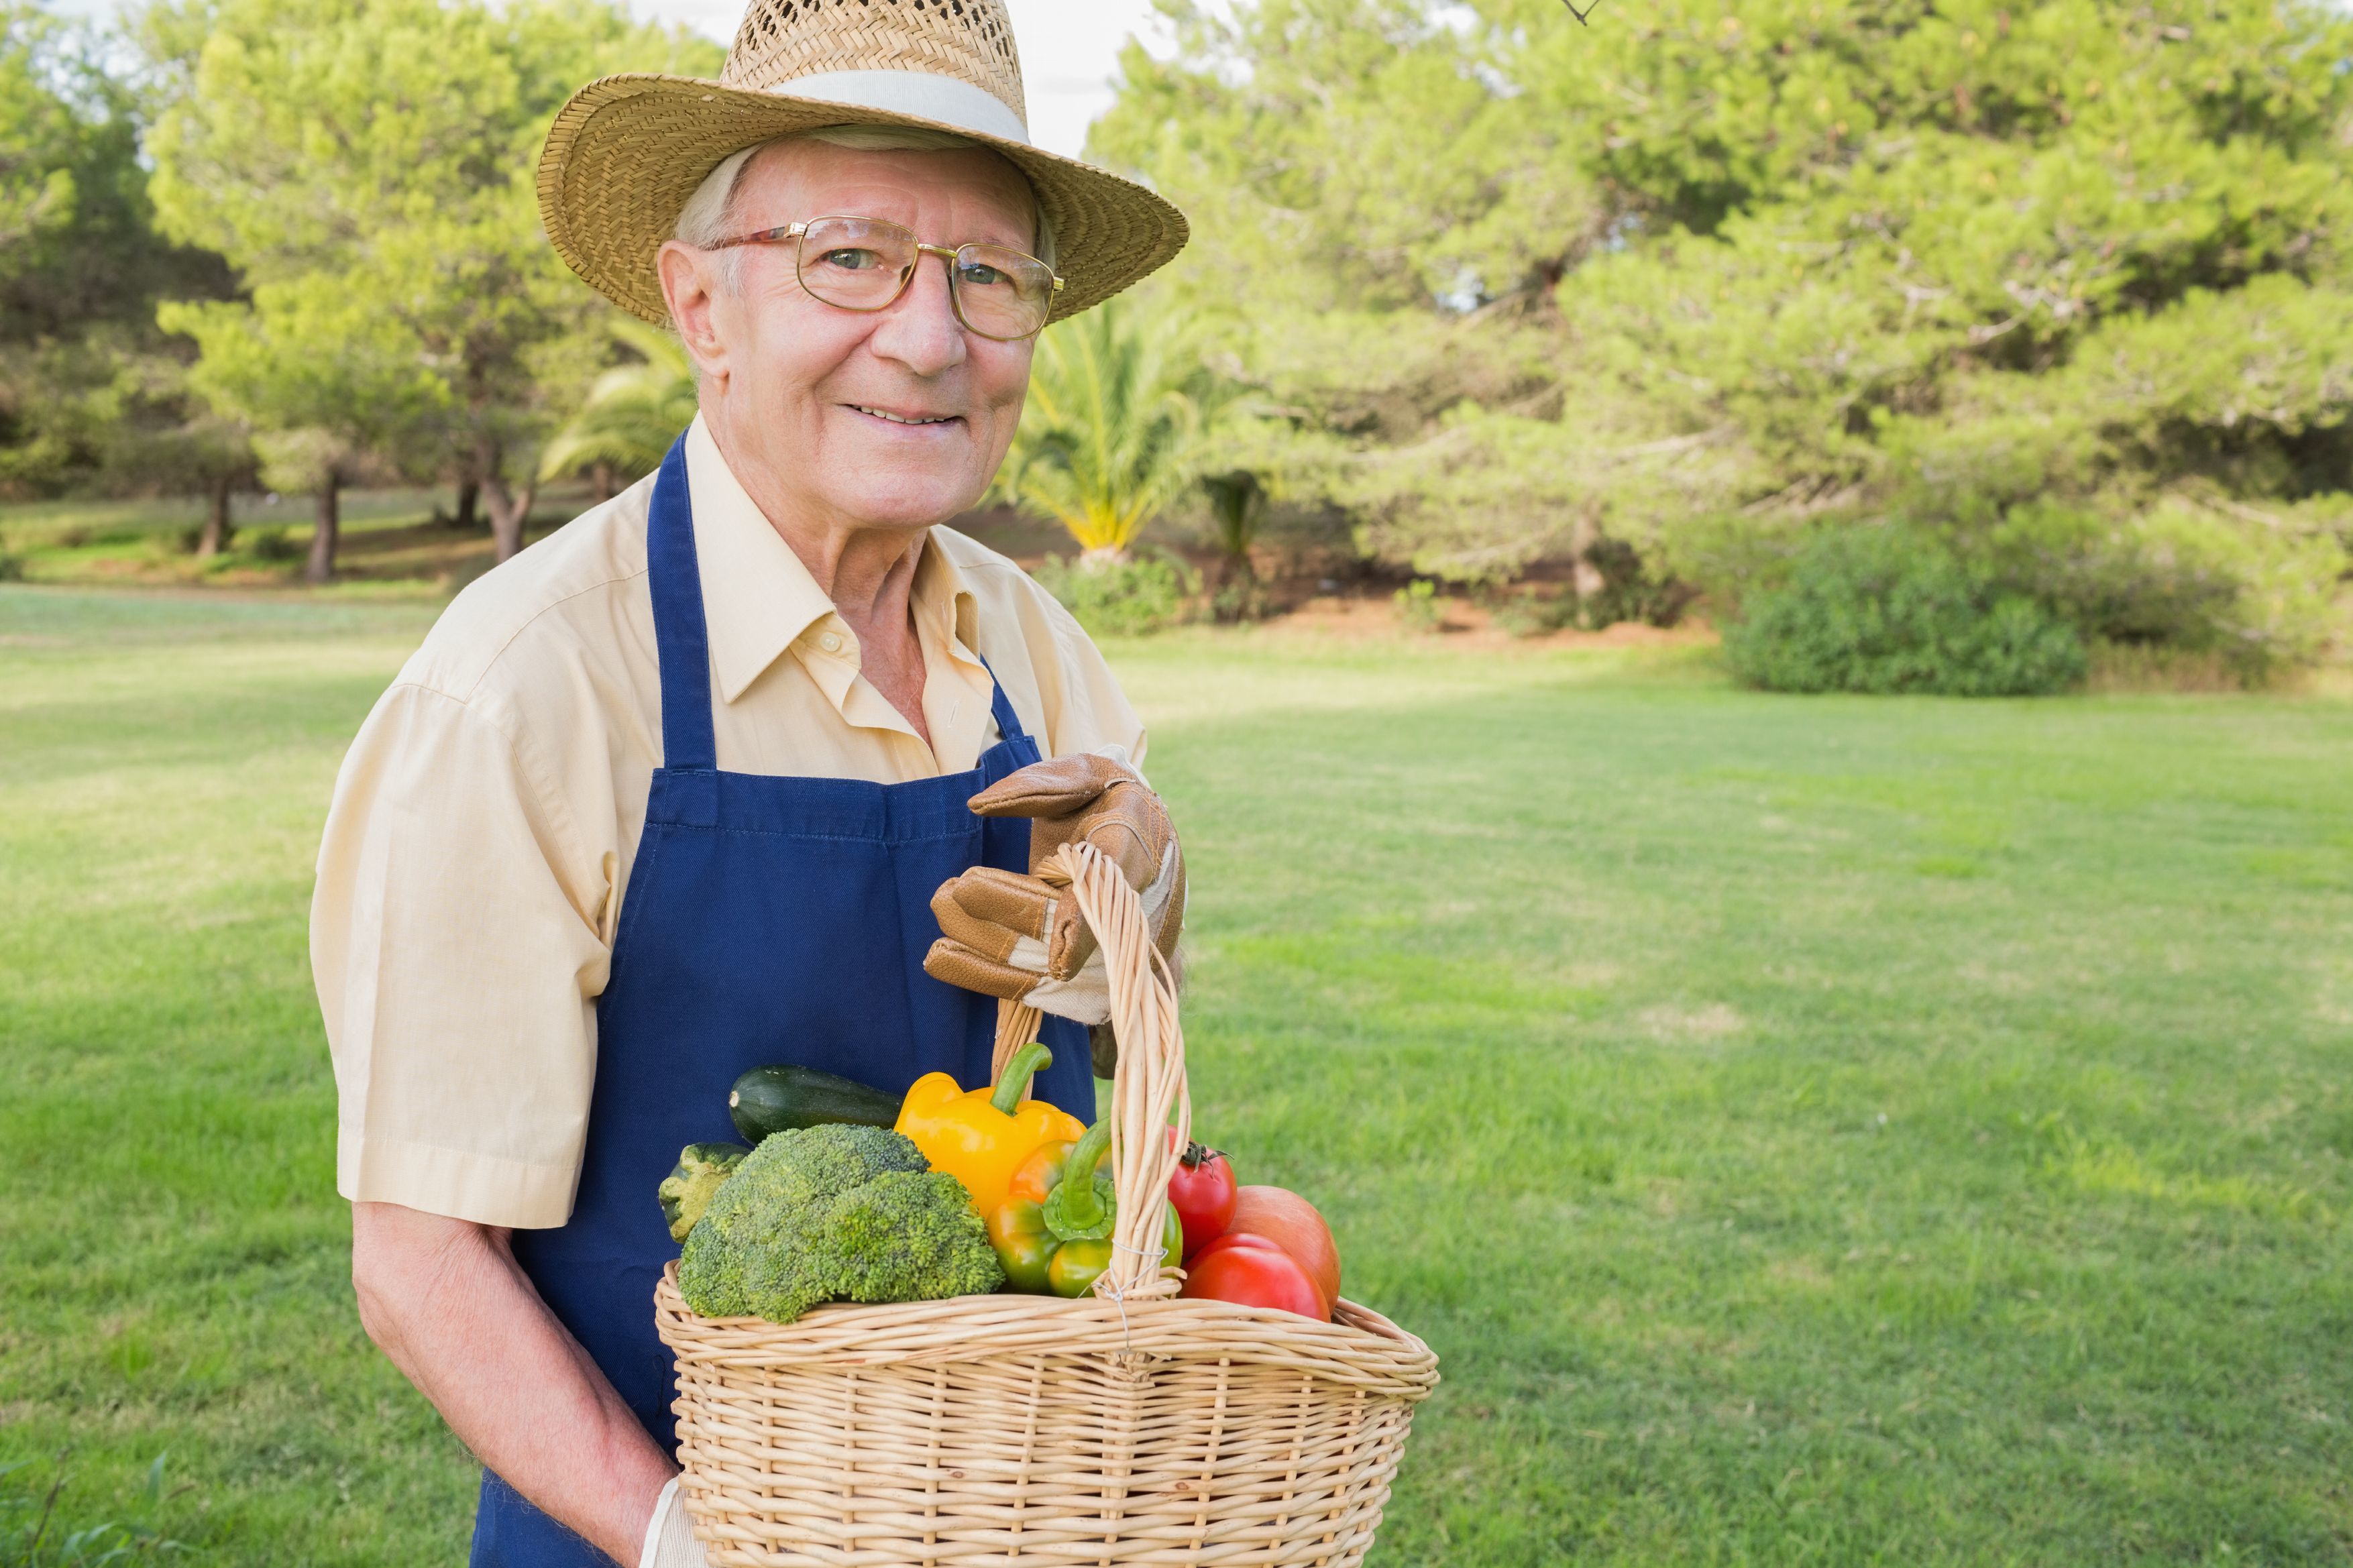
(627, 154)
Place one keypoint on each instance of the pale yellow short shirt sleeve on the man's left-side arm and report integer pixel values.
(458, 941)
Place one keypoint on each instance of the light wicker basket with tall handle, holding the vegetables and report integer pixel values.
(1020, 1430)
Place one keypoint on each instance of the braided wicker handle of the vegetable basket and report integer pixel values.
(1149, 1087)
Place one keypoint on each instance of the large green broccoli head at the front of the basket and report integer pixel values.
(834, 1211)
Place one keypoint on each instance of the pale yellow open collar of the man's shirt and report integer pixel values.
(759, 597)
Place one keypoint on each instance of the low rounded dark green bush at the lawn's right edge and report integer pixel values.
(1895, 611)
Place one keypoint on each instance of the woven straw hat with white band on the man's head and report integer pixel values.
(627, 152)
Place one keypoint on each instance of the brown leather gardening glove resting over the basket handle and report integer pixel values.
(1020, 938)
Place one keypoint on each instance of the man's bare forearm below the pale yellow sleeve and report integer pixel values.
(453, 1310)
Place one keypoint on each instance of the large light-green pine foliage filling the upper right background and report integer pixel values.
(1714, 274)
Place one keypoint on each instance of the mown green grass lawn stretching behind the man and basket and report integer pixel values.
(1811, 1131)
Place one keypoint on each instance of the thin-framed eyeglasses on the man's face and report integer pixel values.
(865, 265)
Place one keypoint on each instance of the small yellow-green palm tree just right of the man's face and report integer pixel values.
(1116, 427)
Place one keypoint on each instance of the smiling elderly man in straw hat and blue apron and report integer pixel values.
(681, 790)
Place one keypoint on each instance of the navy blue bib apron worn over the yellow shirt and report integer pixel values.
(768, 919)
